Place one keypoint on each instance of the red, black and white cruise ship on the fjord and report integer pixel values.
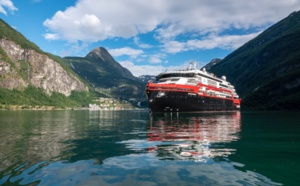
(191, 90)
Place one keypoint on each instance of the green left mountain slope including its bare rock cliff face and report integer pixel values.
(31, 77)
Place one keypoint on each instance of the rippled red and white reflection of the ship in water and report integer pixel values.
(199, 137)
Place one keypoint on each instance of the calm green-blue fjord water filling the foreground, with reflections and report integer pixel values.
(135, 148)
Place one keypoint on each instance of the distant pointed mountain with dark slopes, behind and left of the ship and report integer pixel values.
(100, 70)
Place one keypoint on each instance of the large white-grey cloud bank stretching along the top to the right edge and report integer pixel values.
(101, 19)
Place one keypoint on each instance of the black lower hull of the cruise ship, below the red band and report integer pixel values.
(187, 102)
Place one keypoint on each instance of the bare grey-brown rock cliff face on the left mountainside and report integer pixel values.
(21, 67)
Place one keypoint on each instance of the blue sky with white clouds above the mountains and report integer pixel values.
(145, 36)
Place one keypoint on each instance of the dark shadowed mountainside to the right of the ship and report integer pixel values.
(266, 70)
